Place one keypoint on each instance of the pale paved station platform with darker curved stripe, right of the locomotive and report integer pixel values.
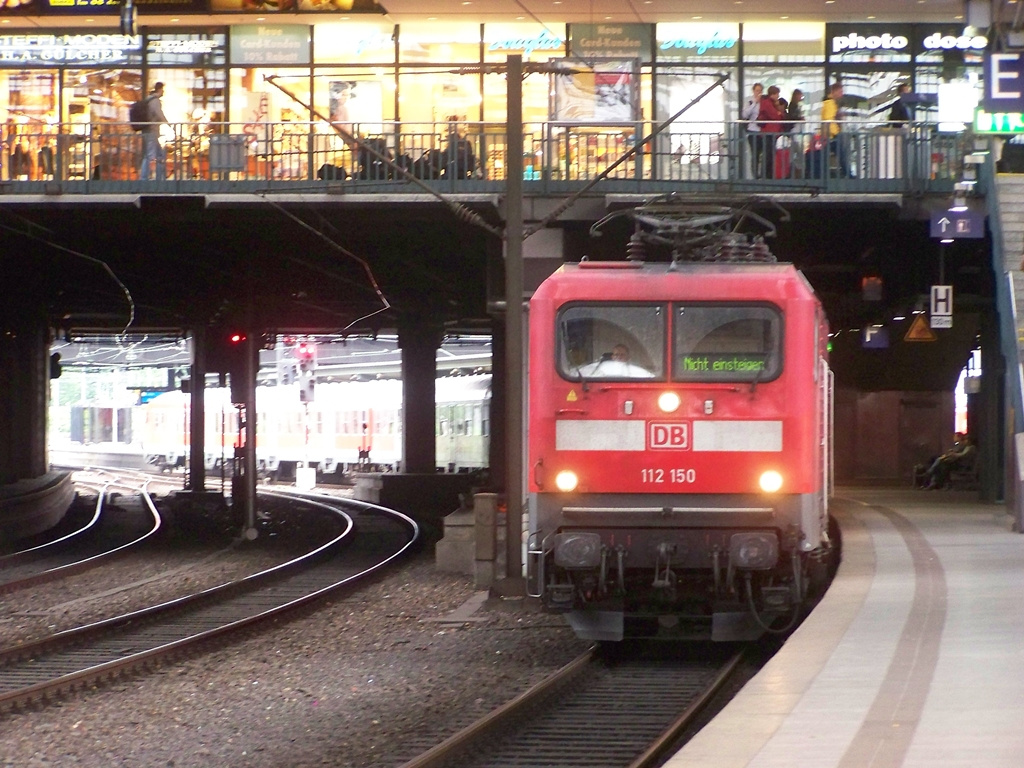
(914, 659)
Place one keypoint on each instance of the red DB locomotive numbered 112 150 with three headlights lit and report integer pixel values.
(679, 463)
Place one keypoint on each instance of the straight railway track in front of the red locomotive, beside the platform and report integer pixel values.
(612, 708)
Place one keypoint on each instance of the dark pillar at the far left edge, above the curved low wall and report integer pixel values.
(25, 382)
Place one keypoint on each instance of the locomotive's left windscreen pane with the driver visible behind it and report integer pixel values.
(612, 342)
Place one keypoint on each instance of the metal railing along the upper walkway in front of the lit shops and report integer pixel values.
(104, 158)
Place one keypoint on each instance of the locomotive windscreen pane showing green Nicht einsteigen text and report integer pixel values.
(728, 344)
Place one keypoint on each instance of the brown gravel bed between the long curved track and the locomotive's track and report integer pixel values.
(371, 679)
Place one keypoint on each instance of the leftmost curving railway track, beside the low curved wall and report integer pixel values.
(116, 526)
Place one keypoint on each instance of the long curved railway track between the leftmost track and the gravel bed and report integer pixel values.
(36, 672)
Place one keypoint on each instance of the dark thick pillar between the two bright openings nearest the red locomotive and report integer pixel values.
(419, 344)
